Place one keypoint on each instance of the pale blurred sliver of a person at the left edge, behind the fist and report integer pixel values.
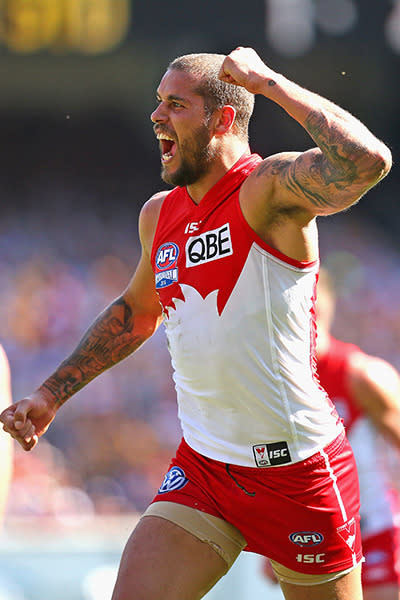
(6, 445)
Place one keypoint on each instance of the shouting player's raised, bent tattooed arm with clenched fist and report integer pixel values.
(348, 161)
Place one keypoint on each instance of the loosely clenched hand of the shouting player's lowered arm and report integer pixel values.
(27, 420)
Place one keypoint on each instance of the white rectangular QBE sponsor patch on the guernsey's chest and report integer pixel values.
(208, 246)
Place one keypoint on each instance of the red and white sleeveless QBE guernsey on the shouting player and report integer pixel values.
(240, 324)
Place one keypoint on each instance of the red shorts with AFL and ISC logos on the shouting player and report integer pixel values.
(304, 515)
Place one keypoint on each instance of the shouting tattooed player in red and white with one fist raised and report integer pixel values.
(230, 262)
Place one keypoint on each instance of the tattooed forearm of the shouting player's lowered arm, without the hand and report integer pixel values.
(109, 340)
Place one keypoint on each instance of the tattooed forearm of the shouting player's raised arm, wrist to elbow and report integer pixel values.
(352, 153)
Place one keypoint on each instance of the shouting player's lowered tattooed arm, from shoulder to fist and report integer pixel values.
(117, 332)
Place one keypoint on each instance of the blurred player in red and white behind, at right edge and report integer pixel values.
(366, 392)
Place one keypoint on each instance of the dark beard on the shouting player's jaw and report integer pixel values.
(196, 156)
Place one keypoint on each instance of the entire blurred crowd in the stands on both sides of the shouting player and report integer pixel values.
(110, 445)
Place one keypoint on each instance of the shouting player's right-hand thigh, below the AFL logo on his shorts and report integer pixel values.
(347, 587)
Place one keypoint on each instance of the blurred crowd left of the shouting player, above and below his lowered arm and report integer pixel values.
(110, 445)
